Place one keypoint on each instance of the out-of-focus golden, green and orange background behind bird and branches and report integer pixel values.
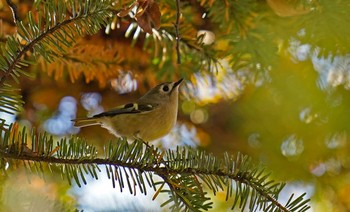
(269, 79)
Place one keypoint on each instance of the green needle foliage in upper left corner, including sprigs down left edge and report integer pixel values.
(47, 34)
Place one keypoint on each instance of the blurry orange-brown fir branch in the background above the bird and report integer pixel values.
(82, 60)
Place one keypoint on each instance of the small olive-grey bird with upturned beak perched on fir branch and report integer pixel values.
(150, 117)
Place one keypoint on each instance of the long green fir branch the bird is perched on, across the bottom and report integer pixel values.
(183, 170)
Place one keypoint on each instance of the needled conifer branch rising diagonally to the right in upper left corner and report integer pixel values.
(15, 59)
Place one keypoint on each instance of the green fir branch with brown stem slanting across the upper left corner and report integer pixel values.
(87, 20)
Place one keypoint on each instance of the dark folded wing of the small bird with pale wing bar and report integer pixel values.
(128, 109)
